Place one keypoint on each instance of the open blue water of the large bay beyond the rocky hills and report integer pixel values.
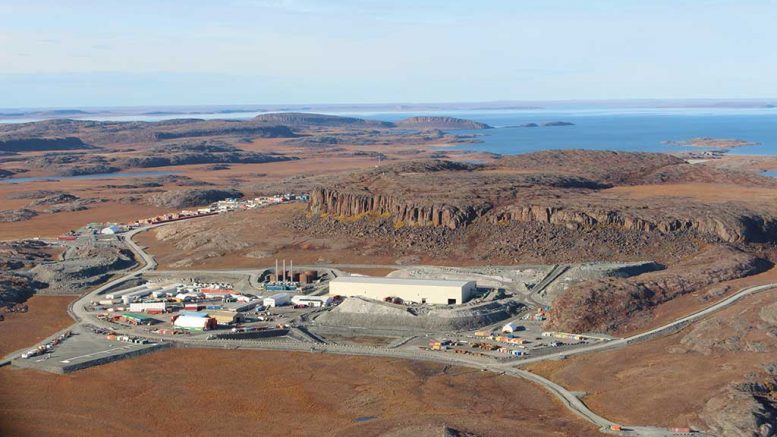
(625, 130)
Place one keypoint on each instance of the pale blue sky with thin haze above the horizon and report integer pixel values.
(82, 53)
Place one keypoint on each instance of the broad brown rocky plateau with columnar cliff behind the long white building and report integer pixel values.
(560, 188)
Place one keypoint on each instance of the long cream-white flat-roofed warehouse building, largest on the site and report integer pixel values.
(434, 291)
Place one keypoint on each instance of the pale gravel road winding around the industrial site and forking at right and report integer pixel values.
(568, 399)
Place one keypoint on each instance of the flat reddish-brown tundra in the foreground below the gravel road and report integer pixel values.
(216, 392)
